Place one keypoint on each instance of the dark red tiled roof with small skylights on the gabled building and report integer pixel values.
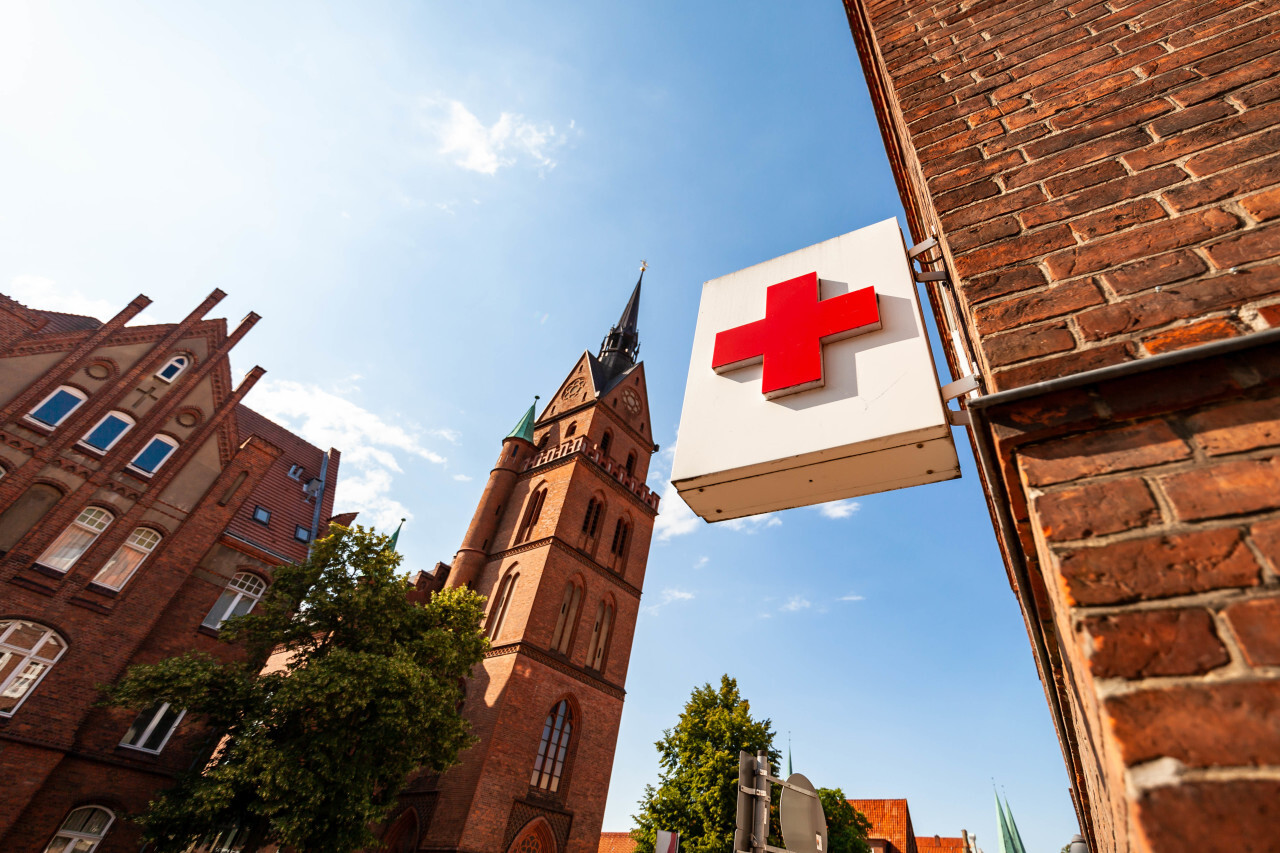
(280, 494)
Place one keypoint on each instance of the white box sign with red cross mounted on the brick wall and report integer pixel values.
(812, 381)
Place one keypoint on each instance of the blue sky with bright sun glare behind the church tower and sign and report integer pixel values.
(437, 208)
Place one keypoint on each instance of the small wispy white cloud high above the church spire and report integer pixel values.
(478, 148)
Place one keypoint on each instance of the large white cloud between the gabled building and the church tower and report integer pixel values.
(371, 446)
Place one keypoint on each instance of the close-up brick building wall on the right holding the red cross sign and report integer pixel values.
(1103, 177)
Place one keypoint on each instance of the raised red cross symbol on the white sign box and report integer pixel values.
(789, 340)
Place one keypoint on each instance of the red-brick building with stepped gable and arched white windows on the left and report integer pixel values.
(141, 504)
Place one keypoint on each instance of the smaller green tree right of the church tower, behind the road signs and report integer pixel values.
(697, 793)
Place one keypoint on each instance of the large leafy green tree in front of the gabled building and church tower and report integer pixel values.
(312, 754)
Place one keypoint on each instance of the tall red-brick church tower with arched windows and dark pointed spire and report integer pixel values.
(559, 544)
